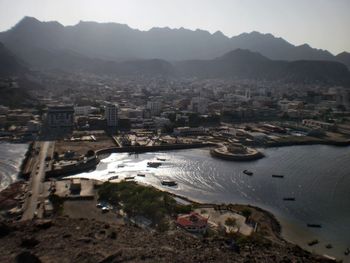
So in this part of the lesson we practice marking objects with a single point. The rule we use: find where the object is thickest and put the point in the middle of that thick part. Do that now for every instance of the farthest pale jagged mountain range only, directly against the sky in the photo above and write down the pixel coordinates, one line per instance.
(35, 41)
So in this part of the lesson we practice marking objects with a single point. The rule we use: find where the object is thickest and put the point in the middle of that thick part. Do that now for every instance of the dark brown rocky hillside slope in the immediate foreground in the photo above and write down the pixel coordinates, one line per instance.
(81, 240)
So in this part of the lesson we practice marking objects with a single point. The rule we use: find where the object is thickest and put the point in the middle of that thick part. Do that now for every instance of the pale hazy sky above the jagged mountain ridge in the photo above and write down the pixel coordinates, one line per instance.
(323, 24)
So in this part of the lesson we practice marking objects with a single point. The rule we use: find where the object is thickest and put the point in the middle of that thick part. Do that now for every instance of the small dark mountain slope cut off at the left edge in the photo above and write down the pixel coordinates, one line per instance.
(9, 64)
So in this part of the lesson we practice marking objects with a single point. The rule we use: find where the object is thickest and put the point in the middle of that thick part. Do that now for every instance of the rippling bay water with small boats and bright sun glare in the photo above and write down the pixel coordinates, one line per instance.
(209, 180)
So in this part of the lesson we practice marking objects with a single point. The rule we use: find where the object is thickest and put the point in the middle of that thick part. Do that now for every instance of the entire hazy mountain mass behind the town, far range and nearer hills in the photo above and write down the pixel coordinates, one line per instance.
(117, 49)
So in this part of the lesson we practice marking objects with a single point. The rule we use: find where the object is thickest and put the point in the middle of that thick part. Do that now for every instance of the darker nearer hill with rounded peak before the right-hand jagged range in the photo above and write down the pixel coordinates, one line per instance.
(246, 64)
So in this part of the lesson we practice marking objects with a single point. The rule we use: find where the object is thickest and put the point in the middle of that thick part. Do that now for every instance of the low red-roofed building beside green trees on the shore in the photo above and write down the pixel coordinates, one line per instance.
(193, 222)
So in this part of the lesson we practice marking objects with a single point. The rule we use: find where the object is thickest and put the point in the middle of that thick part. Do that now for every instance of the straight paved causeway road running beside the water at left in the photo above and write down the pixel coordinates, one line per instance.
(37, 178)
